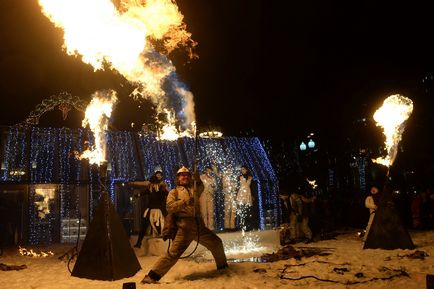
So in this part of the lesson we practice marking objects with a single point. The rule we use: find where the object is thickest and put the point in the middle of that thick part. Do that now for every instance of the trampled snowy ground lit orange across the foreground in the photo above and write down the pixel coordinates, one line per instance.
(347, 258)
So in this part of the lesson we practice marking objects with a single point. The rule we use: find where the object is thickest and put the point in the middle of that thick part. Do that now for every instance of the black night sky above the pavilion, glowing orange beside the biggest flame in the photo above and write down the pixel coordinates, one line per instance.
(280, 68)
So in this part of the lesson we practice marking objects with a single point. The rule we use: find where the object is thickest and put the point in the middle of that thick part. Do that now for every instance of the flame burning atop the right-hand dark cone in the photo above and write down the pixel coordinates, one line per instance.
(391, 116)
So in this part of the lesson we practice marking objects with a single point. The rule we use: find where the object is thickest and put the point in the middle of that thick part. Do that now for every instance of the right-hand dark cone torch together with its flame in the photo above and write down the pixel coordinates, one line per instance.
(387, 231)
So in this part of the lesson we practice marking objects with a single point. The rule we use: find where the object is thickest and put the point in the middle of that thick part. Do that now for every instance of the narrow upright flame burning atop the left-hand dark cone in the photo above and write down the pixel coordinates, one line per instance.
(97, 116)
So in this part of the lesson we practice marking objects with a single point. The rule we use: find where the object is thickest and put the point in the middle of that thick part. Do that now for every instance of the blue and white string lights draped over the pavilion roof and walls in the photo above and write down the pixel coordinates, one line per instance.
(47, 157)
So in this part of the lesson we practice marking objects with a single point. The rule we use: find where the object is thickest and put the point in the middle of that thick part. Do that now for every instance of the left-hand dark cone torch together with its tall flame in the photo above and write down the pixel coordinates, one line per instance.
(102, 256)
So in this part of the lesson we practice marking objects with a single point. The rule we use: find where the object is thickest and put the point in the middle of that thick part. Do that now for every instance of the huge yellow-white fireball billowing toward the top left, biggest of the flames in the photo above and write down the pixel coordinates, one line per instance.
(122, 37)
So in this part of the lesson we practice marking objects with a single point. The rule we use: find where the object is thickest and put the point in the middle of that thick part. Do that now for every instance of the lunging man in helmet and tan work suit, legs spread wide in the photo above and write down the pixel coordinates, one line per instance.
(180, 202)
